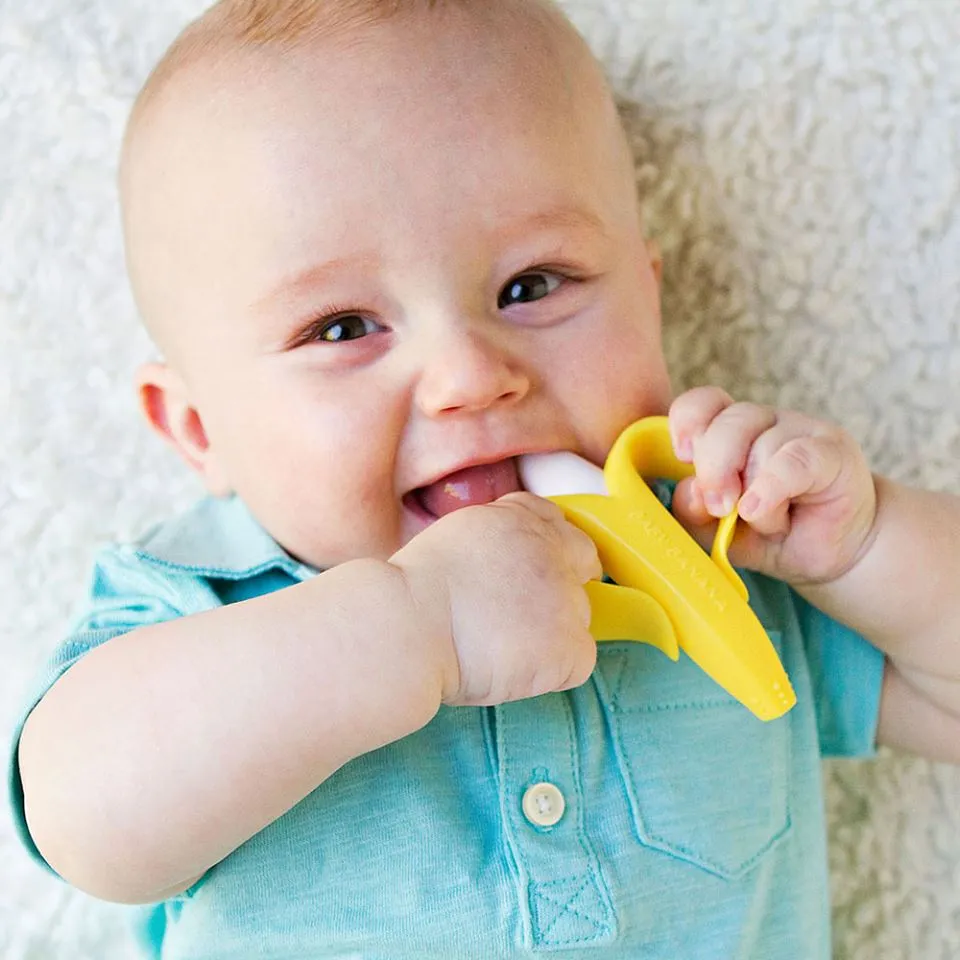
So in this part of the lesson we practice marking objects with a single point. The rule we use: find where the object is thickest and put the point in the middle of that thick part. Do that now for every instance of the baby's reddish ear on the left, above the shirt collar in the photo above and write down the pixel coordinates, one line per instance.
(165, 402)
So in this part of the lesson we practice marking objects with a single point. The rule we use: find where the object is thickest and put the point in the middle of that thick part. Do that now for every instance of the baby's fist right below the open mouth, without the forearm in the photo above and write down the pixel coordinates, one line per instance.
(500, 590)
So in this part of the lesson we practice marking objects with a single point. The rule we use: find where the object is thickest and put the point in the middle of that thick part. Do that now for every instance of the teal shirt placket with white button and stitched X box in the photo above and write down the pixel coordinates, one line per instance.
(564, 900)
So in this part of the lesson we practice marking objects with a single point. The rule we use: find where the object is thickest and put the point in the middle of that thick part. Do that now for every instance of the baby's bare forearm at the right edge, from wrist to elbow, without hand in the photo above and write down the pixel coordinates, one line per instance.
(903, 594)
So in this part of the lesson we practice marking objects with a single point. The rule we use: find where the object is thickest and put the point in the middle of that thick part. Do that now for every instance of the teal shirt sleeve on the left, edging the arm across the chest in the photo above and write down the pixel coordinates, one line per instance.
(124, 594)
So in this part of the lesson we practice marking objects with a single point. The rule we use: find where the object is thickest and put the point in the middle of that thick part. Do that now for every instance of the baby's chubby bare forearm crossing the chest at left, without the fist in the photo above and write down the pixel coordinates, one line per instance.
(163, 750)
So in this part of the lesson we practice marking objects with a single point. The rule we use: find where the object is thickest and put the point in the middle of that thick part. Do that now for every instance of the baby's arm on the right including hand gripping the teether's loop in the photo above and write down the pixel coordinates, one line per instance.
(877, 556)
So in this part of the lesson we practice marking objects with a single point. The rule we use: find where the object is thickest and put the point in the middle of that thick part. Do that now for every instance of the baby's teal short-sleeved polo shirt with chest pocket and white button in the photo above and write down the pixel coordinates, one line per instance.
(643, 815)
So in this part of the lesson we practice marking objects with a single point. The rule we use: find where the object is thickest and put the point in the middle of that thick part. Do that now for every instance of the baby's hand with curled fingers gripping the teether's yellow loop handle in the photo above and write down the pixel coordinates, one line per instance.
(804, 487)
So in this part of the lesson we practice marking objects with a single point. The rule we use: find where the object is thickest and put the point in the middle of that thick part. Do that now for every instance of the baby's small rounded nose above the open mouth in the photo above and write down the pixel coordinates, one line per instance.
(466, 371)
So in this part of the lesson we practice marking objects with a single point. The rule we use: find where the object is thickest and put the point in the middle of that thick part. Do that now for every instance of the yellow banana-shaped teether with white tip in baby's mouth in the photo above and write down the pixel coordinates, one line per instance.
(668, 592)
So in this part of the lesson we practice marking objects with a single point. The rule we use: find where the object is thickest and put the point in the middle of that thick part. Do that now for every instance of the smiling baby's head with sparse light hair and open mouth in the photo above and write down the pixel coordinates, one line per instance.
(378, 242)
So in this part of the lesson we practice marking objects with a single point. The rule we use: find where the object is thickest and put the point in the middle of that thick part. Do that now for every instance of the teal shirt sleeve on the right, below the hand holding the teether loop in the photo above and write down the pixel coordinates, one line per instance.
(846, 674)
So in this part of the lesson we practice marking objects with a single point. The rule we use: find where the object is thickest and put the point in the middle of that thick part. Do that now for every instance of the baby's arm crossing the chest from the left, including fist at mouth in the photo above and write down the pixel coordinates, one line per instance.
(163, 750)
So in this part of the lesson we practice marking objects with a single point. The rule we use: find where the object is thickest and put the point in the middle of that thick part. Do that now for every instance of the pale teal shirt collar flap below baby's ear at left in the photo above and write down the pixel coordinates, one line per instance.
(218, 538)
